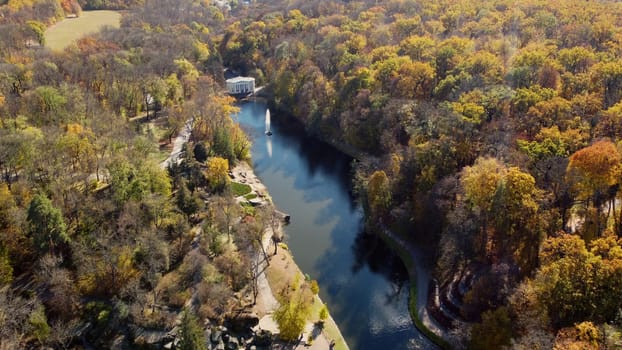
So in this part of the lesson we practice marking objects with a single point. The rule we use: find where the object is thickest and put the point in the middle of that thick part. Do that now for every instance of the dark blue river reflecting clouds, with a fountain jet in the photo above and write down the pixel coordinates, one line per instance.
(364, 284)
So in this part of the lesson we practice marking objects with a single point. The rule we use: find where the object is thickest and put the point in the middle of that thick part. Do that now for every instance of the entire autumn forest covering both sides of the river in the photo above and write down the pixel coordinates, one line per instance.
(488, 129)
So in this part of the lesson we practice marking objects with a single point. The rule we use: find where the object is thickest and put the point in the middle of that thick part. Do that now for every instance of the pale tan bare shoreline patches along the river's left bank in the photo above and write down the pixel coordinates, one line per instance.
(267, 303)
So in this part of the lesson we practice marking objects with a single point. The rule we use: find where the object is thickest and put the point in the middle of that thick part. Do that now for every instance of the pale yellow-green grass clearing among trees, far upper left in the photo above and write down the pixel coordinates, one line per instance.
(60, 35)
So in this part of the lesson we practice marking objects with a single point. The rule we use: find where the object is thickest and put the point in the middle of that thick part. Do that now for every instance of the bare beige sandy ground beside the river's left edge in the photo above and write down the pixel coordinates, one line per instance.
(282, 264)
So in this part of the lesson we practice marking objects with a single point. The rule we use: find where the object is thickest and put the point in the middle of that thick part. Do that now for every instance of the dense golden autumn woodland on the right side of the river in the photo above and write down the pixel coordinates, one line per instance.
(490, 128)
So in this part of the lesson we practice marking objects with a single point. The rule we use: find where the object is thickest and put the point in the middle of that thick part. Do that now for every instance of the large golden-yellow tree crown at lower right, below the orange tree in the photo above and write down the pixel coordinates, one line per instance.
(576, 284)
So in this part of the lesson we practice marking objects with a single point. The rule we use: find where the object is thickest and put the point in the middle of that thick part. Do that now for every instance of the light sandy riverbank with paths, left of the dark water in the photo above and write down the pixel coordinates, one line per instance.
(282, 269)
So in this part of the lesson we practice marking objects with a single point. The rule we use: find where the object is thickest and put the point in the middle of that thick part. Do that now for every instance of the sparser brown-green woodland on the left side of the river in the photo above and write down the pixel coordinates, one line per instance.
(99, 245)
